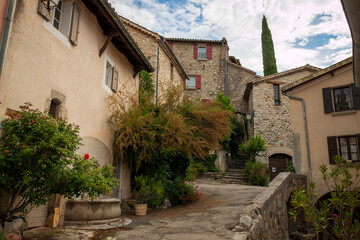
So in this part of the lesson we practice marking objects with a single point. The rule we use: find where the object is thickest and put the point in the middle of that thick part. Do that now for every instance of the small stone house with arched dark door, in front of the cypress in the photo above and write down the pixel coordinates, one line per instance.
(270, 117)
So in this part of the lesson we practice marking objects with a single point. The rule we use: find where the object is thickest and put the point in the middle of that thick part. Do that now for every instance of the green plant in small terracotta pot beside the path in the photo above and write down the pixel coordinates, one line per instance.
(142, 193)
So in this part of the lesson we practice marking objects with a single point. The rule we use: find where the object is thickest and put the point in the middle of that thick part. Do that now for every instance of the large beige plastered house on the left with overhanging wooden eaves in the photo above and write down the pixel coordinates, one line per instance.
(66, 60)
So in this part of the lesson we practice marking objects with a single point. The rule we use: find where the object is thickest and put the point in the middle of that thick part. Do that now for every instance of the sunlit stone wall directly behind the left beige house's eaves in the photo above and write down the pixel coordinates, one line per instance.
(149, 44)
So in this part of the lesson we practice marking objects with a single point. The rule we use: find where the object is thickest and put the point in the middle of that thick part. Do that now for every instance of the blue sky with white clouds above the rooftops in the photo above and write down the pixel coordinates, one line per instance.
(311, 32)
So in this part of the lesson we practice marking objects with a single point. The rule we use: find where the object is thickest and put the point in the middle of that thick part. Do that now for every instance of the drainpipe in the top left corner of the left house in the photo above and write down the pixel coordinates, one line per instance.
(6, 31)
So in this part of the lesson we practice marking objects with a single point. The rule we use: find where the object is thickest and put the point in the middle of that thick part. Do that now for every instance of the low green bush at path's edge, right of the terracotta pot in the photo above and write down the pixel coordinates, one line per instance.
(182, 191)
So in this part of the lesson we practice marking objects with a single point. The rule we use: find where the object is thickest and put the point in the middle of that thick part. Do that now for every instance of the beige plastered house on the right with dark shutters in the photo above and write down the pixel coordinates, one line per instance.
(332, 108)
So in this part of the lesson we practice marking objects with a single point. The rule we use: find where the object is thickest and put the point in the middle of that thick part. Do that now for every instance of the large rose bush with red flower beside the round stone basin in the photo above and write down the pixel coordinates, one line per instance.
(38, 160)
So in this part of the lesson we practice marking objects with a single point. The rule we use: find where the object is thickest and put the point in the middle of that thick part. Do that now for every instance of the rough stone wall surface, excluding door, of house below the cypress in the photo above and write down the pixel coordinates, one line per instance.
(272, 122)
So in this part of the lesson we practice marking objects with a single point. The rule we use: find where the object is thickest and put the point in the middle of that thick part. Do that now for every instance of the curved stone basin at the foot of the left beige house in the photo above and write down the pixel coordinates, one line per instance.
(100, 211)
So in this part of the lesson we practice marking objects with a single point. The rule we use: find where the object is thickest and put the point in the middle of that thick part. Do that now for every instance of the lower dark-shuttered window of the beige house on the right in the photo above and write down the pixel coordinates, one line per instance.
(345, 146)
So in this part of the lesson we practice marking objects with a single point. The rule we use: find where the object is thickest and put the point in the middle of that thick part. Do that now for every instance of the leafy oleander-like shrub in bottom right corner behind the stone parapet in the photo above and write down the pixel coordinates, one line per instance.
(334, 217)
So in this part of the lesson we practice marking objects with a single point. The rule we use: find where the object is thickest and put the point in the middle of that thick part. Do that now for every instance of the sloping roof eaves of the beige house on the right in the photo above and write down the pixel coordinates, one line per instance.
(317, 74)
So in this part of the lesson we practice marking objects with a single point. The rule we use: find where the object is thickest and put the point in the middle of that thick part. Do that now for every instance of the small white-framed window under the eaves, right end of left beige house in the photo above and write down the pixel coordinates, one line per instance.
(111, 76)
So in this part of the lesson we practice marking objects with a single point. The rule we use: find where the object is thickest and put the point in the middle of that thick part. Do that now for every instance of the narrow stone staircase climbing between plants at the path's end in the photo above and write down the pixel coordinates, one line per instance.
(236, 171)
